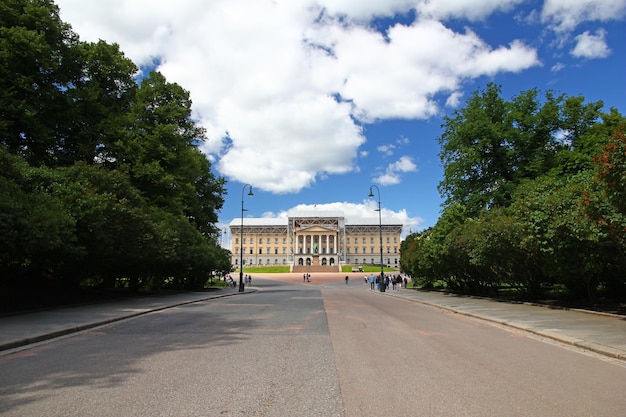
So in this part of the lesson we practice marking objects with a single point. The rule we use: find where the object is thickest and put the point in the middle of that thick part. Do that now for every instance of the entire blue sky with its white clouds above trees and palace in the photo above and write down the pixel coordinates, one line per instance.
(311, 102)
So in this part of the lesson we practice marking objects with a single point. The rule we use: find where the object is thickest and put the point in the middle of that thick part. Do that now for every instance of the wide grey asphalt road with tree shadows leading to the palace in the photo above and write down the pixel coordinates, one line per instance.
(299, 350)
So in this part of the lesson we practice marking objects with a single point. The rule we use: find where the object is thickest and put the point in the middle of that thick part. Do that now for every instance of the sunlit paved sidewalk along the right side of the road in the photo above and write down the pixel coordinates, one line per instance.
(598, 332)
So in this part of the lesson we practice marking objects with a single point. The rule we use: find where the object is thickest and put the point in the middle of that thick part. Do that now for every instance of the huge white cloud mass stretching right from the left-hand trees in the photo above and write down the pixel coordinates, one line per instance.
(283, 92)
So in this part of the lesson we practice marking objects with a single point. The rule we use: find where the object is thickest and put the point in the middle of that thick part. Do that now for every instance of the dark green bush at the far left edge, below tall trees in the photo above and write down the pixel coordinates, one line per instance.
(37, 234)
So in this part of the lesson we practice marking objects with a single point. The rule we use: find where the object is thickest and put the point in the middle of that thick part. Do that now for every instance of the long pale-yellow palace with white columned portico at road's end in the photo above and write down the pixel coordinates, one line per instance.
(314, 239)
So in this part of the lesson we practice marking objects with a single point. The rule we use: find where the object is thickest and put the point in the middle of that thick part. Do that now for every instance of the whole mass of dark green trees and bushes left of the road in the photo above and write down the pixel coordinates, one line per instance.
(102, 180)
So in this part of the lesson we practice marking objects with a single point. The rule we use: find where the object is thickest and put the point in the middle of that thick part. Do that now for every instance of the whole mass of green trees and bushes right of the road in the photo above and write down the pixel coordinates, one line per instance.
(535, 197)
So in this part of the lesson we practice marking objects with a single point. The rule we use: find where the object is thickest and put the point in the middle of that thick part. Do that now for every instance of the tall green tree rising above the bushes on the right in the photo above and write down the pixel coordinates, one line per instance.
(490, 146)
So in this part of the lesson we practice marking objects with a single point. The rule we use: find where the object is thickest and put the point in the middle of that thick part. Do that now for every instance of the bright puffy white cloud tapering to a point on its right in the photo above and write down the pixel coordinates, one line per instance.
(397, 77)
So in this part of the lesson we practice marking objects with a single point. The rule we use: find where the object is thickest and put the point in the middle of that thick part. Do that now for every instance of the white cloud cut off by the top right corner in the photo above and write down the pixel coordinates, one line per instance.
(566, 15)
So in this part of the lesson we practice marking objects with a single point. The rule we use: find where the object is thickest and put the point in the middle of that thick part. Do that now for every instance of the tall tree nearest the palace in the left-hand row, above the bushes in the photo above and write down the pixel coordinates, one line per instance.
(160, 152)
